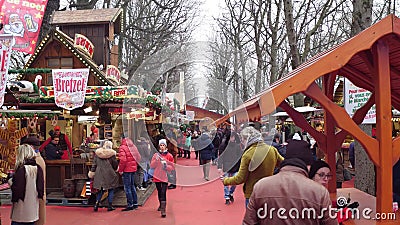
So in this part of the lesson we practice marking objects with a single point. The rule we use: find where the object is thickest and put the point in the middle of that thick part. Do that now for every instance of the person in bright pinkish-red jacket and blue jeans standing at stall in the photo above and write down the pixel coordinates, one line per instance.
(128, 162)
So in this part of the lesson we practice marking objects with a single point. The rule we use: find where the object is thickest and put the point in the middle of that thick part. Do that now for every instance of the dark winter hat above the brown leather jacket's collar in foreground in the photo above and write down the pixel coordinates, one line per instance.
(299, 149)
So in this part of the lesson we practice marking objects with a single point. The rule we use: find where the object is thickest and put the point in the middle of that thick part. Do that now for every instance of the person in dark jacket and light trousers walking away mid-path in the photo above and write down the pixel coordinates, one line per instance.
(205, 148)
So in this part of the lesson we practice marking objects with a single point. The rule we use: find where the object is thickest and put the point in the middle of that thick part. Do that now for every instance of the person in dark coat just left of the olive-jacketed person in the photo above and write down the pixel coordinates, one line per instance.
(229, 162)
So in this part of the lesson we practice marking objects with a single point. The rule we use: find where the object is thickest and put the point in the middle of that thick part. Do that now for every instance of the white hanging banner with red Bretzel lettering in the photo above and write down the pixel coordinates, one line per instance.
(70, 87)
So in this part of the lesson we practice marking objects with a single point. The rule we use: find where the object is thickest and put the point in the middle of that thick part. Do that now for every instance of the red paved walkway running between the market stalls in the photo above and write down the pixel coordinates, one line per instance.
(193, 203)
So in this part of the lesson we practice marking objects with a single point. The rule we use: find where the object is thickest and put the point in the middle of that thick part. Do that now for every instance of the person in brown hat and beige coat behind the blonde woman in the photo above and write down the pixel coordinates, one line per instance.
(32, 140)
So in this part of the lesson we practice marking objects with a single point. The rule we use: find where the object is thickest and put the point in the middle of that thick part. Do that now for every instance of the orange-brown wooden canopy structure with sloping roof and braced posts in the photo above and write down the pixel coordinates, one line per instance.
(370, 60)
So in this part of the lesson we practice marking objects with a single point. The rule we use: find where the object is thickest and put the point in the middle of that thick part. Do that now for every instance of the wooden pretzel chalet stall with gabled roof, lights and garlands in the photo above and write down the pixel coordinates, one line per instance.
(79, 39)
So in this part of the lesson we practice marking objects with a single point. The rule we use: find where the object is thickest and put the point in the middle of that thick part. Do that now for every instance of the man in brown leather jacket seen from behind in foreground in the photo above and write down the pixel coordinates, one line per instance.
(290, 197)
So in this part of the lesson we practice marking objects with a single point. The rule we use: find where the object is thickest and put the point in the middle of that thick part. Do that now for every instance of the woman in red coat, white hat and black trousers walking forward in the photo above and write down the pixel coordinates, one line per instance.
(162, 163)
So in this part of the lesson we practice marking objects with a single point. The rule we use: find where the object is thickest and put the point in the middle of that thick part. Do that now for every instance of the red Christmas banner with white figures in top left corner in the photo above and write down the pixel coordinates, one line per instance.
(23, 19)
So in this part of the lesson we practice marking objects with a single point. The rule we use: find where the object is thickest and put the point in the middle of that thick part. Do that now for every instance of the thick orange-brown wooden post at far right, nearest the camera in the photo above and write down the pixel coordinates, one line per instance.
(381, 76)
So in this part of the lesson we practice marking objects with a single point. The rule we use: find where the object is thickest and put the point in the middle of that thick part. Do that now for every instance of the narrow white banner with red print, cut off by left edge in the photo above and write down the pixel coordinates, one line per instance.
(6, 43)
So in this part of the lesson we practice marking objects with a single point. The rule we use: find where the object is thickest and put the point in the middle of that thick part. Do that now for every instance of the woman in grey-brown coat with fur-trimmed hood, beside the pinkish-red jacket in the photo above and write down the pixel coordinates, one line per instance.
(103, 171)
